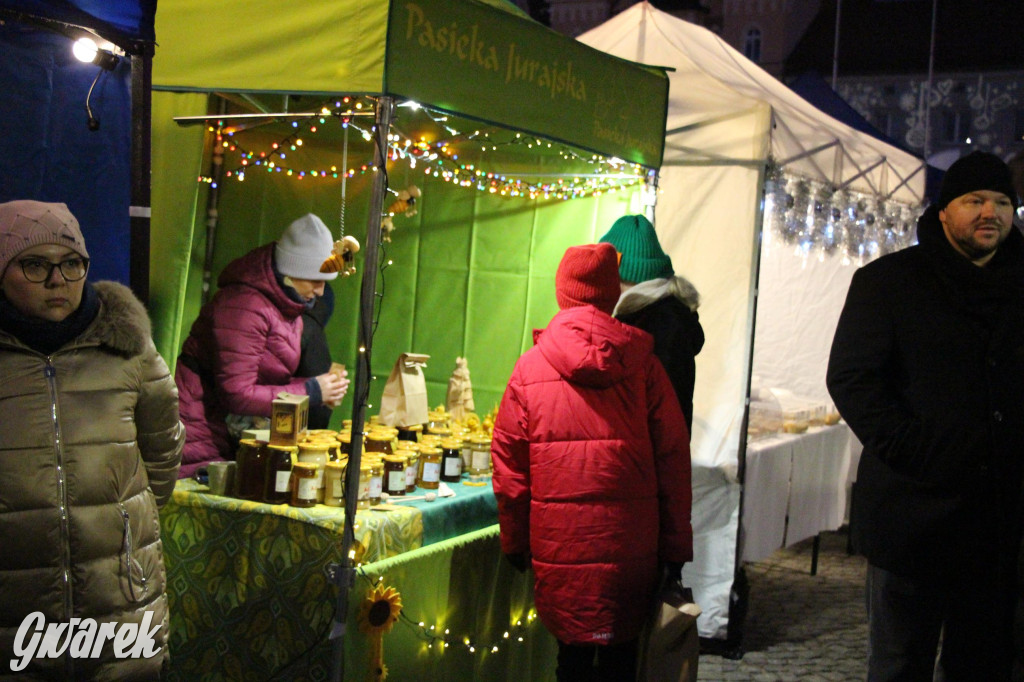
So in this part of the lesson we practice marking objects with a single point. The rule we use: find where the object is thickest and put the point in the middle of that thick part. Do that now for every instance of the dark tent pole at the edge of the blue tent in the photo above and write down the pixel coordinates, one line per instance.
(141, 210)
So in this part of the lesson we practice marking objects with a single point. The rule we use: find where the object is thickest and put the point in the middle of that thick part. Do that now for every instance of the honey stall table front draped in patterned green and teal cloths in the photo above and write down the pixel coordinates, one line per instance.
(250, 599)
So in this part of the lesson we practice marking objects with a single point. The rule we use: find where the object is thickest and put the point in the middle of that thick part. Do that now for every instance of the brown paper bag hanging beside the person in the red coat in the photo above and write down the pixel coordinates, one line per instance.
(670, 646)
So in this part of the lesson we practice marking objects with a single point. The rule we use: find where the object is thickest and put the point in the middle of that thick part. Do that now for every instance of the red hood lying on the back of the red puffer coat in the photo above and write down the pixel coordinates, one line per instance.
(589, 348)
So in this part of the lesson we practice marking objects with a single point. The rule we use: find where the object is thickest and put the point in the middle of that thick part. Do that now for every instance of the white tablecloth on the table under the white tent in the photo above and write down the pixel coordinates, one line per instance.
(795, 487)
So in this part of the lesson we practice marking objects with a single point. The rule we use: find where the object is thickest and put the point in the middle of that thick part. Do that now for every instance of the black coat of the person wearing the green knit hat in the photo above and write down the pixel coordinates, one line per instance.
(678, 338)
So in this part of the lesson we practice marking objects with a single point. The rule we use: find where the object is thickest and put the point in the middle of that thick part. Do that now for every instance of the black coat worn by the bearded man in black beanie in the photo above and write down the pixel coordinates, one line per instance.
(927, 367)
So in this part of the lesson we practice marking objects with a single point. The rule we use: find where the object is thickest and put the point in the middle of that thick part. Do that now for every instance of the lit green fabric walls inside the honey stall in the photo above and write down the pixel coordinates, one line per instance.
(472, 275)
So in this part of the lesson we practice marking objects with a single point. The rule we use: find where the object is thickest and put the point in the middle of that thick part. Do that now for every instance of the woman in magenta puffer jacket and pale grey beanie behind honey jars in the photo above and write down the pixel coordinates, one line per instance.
(244, 349)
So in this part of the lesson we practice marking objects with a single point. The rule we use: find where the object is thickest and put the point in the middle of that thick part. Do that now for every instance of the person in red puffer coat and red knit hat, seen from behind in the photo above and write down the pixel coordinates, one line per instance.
(592, 473)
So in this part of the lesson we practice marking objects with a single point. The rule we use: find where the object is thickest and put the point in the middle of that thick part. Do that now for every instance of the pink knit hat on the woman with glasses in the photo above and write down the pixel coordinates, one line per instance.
(26, 224)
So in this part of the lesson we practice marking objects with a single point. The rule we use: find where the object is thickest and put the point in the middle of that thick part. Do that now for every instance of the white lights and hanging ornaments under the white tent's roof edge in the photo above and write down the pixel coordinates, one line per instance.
(819, 220)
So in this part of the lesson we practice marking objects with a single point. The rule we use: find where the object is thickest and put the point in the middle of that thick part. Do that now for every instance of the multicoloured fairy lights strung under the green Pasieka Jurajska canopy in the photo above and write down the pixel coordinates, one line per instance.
(438, 158)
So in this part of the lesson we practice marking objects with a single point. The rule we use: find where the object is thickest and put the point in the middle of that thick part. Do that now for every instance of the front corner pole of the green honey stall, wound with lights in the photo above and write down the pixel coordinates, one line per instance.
(344, 575)
